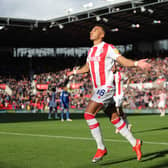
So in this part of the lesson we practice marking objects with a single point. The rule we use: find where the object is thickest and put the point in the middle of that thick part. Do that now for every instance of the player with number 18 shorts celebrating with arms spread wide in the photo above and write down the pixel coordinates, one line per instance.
(100, 60)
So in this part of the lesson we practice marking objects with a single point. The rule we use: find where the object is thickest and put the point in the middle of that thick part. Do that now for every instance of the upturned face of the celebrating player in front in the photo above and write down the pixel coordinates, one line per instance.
(96, 33)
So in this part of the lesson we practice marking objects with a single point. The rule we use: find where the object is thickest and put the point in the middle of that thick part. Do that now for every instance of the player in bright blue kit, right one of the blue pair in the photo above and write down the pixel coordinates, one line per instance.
(64, 100)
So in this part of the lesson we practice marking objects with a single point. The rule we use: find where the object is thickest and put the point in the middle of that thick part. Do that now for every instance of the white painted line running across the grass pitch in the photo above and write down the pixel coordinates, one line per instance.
(76, 138)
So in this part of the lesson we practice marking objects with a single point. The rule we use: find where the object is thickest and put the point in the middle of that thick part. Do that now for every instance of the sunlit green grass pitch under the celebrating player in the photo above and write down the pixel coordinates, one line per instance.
(56, 144)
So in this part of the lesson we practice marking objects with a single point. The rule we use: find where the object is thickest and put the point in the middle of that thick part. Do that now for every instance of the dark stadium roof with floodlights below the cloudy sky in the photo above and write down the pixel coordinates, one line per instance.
(128, 22)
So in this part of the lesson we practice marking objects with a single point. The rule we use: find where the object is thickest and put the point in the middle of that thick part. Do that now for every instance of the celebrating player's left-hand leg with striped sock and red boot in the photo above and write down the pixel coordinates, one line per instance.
(93, 124)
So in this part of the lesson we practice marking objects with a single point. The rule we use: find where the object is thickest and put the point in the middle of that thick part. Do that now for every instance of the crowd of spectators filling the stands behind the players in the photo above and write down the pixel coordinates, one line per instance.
(26, 96)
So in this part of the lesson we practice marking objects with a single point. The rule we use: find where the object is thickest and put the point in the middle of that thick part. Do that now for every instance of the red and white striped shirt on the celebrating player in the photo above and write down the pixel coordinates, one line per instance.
(101, 59)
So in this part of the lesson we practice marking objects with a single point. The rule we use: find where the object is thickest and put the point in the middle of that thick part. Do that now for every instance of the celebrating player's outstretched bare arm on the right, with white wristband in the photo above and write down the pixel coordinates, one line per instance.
(130, 63)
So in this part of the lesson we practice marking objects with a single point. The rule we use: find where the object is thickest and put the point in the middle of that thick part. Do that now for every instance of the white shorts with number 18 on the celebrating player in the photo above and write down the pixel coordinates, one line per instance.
(104, 95)
